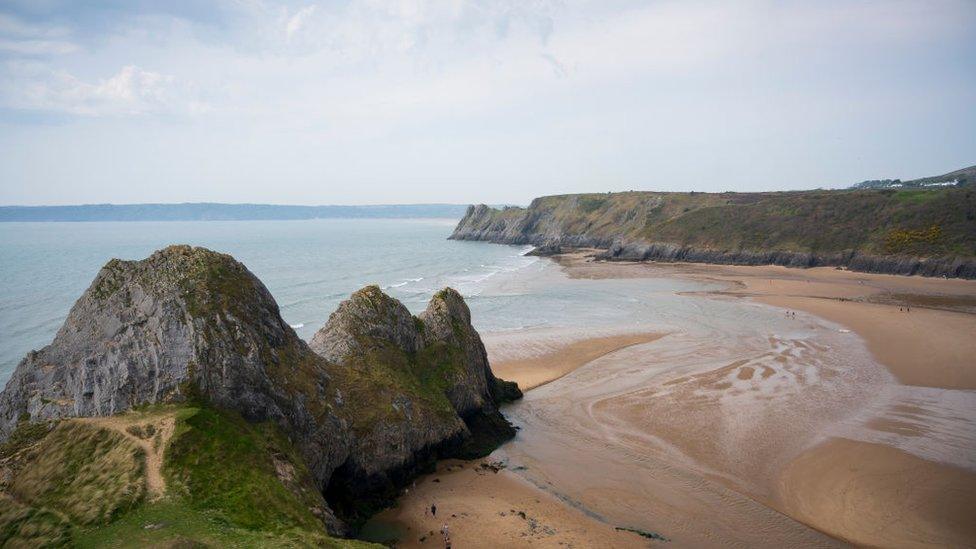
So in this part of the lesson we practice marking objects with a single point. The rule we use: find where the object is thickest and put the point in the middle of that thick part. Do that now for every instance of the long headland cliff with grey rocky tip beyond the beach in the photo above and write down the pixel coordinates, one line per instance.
(929, 232)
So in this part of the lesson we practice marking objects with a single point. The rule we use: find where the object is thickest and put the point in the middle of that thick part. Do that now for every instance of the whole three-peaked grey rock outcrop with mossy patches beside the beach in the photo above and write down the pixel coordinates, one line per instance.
(378, 396)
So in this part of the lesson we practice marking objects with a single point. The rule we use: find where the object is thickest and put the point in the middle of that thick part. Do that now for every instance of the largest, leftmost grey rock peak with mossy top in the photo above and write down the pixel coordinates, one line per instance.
(184, 320)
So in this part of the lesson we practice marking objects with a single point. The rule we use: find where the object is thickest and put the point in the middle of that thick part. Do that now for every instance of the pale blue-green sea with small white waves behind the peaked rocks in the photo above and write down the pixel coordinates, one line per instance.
(309, 266)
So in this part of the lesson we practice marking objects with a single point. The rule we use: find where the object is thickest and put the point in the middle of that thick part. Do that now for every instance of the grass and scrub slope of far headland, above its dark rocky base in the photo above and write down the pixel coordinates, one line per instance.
(922, 222)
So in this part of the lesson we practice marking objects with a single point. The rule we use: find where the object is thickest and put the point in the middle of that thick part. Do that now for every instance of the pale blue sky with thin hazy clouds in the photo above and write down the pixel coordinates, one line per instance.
(468, 101)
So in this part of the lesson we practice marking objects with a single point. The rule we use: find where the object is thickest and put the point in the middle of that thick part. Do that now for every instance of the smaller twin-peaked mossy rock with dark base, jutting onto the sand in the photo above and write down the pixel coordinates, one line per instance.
(423, 382)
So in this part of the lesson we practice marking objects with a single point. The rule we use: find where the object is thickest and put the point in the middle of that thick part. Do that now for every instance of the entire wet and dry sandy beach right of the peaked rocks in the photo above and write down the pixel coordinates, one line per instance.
(847, 415)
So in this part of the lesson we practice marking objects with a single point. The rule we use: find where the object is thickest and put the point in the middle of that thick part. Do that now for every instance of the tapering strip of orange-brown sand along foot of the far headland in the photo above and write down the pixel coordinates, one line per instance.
(928, 346)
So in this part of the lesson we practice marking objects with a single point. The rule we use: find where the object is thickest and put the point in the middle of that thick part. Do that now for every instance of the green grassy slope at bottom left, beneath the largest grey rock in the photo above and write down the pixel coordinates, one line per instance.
(230, 484)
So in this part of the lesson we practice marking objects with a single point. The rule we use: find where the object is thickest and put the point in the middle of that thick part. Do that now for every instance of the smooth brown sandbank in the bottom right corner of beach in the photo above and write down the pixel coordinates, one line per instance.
(876, 495)
